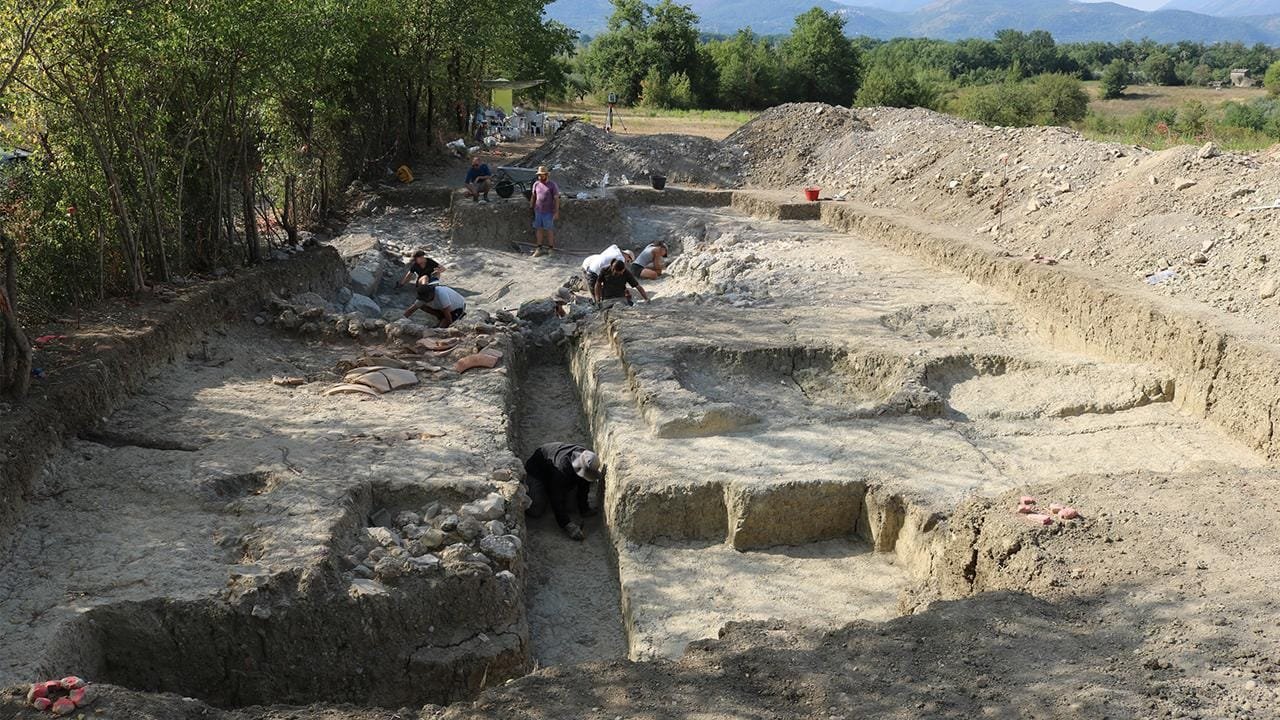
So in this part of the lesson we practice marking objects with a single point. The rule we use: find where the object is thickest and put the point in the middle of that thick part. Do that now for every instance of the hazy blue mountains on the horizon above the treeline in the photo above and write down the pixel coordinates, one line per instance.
(1068, 21)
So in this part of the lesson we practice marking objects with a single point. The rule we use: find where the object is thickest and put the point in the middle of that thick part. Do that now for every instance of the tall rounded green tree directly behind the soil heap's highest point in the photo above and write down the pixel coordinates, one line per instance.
(820, 63)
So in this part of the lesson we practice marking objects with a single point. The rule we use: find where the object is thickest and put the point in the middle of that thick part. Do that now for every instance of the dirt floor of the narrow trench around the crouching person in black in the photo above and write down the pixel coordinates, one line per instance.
(574, 603)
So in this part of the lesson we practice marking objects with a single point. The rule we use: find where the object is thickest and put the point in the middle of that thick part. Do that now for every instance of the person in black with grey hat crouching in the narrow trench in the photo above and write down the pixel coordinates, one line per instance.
(557, 471)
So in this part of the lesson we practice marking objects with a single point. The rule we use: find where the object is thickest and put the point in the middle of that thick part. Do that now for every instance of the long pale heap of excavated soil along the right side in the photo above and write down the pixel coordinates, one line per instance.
(1180, 221)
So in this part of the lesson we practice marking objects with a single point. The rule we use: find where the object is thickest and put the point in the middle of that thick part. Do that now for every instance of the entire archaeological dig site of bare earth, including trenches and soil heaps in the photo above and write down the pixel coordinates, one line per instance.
(989, 430)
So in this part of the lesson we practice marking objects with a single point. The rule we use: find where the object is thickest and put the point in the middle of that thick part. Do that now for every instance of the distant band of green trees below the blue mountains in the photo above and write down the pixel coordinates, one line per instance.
(655, 56)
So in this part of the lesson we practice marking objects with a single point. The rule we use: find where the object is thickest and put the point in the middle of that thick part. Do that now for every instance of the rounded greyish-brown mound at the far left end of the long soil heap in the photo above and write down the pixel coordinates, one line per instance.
(780, 145)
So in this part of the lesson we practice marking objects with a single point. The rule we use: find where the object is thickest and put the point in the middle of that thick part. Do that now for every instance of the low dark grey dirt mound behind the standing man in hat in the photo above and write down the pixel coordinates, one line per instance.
(582, 156)
